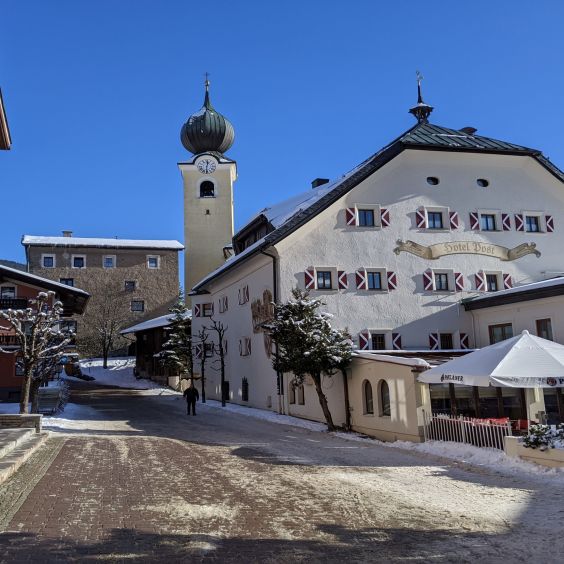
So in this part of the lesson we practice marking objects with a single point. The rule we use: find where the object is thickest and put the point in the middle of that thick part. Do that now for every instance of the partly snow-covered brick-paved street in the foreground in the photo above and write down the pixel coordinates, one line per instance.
(147, 484)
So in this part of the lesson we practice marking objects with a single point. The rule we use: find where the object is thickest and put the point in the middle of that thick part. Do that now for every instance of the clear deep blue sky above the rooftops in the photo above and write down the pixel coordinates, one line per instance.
(96, 93)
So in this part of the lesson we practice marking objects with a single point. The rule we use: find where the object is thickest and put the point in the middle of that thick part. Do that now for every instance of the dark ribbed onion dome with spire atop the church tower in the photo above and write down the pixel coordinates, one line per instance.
(207, 130)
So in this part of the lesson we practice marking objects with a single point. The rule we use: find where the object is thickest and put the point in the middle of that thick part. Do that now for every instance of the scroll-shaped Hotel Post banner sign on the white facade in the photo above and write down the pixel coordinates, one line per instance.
(433, 252)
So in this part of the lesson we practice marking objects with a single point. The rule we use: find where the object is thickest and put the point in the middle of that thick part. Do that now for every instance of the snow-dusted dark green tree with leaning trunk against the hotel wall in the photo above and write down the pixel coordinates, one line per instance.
(307, 344)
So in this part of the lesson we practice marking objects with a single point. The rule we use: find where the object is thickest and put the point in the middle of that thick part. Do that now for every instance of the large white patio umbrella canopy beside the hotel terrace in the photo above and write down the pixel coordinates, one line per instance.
(524, 361)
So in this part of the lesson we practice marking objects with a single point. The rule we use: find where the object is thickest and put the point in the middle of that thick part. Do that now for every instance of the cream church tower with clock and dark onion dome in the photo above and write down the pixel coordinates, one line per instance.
(208, 178)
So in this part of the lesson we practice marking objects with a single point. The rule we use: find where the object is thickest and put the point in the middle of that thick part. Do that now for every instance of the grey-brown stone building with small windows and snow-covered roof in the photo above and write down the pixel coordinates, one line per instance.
(130, 280)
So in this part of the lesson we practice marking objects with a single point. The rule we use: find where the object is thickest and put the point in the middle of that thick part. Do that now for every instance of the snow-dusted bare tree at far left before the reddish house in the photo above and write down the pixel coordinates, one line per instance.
(40, 341)
